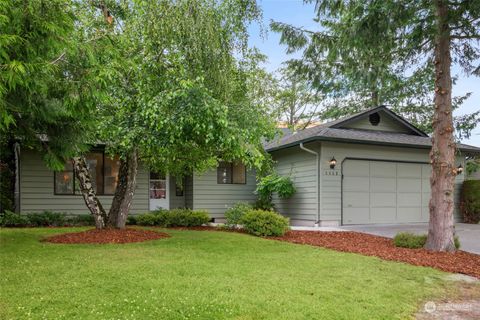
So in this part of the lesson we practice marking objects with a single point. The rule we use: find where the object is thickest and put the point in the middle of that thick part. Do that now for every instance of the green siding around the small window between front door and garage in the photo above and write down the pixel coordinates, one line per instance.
(217, 198)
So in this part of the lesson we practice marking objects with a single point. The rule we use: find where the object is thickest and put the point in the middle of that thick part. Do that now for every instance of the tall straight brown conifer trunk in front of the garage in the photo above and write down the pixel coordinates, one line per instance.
(442, 156)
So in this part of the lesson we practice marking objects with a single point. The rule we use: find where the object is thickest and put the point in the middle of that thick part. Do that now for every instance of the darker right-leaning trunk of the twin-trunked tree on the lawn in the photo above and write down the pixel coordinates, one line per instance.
(122, 200)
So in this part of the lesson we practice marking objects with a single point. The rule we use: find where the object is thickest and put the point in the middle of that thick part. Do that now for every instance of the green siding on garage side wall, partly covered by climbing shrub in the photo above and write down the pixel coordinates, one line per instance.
(301, 167)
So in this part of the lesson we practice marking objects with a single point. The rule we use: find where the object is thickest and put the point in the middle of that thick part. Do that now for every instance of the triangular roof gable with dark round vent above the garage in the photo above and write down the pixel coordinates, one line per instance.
(379, 119)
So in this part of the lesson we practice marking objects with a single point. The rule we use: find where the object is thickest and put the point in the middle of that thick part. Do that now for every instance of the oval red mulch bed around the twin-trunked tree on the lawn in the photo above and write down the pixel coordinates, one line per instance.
(127, 235)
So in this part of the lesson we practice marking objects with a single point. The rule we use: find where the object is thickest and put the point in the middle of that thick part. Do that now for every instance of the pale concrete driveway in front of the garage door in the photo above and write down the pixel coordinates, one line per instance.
(469, 234)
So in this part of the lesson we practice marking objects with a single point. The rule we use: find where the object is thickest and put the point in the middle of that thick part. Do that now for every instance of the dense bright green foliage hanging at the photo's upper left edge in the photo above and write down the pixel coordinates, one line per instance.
(48, 81)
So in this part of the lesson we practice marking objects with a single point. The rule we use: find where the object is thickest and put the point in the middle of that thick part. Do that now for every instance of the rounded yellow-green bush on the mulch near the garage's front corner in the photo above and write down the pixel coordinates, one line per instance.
(265, 223)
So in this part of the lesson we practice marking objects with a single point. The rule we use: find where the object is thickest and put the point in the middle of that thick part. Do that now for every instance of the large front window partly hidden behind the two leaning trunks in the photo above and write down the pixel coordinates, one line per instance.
(103, 173)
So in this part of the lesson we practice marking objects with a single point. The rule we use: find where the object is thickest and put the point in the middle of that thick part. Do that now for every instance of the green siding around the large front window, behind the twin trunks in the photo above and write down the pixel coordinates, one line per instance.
(37, 190)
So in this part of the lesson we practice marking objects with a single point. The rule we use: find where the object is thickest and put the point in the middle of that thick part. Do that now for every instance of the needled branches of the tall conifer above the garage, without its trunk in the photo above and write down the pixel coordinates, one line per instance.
(369, 53)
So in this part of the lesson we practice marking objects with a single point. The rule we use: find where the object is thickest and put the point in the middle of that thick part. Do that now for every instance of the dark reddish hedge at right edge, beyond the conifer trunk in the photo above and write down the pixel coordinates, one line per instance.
(470, 201)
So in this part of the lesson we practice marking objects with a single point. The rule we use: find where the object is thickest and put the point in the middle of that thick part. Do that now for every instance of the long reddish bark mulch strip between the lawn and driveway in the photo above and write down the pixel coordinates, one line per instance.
(370, 245)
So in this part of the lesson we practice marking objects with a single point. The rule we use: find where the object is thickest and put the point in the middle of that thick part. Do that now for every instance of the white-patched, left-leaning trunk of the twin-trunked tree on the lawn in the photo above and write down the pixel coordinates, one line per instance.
(88, 193)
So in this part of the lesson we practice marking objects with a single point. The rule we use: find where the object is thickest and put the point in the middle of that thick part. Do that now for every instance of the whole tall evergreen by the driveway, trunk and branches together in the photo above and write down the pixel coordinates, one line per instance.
(373, 48)
